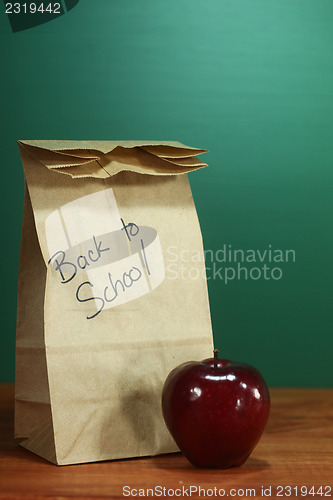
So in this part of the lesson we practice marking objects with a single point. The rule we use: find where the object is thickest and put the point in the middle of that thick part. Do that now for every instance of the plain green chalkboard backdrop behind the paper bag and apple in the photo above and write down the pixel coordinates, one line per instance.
(250, 80)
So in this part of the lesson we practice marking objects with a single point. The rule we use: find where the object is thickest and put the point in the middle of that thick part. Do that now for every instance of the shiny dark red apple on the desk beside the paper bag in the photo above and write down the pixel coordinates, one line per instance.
(216, 410)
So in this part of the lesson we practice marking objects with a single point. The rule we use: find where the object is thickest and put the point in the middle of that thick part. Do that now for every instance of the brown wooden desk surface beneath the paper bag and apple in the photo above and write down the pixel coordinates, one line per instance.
(296, 450)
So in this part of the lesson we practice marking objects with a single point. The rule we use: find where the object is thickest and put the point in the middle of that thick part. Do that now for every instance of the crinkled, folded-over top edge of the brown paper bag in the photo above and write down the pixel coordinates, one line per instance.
(102, 159)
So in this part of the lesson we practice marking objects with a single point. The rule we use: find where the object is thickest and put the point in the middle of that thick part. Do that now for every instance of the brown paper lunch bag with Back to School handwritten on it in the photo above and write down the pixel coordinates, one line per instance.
(104, 313)
